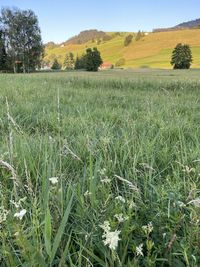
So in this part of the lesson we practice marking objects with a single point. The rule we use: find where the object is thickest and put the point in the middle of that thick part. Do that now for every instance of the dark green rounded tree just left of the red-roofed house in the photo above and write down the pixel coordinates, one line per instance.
(92, 59)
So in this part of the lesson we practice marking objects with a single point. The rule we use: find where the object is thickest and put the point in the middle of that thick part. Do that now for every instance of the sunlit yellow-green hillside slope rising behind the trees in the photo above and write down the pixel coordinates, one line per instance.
(153, 50)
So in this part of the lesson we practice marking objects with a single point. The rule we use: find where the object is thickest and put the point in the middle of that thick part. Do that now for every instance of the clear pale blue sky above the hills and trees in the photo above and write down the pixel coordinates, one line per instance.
(62, 19)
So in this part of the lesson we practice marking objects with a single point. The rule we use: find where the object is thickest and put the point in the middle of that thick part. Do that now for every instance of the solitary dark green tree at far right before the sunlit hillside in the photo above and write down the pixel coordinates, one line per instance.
(181, 57)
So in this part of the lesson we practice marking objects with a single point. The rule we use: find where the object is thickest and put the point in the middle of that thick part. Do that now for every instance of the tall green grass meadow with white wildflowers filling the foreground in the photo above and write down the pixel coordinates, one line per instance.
(100, 169)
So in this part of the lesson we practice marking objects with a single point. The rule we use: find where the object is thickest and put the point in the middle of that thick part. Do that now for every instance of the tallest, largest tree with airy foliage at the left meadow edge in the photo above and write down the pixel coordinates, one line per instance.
(23, 38)
